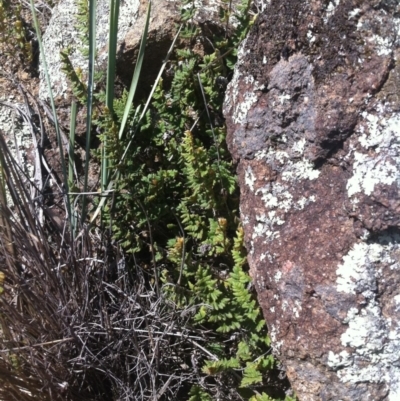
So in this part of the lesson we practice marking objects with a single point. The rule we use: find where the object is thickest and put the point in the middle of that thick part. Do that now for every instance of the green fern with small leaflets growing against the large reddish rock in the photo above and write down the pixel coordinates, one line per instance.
(177, 206)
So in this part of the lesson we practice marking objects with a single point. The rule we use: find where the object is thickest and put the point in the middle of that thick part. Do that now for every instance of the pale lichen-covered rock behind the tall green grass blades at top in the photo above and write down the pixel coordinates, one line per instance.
(62, 32)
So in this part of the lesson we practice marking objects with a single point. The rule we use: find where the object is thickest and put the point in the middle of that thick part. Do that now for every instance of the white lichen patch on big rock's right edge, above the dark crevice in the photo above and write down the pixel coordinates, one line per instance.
(381, 166)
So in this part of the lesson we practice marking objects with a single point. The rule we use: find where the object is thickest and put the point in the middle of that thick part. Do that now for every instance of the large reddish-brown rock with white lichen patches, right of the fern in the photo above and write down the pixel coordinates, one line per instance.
(313, 114)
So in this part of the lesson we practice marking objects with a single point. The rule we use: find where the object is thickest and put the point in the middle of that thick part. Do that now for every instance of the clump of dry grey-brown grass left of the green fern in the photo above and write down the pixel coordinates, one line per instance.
(76, 324)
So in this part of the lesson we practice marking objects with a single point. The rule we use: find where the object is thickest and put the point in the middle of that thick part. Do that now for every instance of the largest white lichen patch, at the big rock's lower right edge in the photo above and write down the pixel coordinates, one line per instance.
(373, 338)
